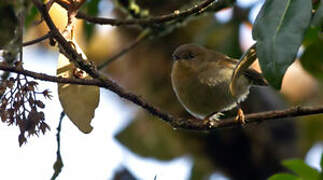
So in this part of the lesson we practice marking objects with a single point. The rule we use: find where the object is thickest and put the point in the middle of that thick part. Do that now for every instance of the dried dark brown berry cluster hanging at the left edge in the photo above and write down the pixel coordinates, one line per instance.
(20, 106)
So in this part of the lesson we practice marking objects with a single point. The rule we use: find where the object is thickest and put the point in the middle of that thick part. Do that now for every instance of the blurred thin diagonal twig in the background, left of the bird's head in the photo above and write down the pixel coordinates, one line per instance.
(142, 36)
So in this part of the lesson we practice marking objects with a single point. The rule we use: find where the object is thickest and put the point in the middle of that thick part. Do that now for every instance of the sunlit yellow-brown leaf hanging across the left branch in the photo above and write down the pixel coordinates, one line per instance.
(79, 102)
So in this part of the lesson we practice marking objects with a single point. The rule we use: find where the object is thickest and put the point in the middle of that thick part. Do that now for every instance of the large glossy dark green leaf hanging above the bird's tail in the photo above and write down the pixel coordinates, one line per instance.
(279, 31)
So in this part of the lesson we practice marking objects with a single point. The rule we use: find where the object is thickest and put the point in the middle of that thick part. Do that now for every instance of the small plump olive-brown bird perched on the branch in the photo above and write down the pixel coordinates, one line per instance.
(202, 81)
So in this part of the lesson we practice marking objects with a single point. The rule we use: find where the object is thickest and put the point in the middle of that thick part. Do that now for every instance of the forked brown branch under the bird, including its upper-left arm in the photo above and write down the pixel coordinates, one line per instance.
(102, 81)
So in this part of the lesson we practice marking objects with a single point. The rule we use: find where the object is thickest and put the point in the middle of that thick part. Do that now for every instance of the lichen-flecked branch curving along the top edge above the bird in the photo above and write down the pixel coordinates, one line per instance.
(154, 20)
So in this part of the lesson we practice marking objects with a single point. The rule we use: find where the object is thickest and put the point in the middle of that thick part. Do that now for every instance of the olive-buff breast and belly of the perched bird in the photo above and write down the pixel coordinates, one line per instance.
(202, 95)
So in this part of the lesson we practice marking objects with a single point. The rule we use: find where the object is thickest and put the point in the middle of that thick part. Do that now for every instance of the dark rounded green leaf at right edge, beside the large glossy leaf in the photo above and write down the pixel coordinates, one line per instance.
(312, 59)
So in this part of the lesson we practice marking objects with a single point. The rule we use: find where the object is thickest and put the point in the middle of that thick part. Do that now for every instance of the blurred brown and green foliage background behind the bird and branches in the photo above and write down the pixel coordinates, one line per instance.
(251, 152)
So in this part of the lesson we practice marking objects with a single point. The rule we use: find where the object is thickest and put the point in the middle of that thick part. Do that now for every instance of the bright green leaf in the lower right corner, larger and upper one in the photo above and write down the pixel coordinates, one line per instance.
(301, 169)
